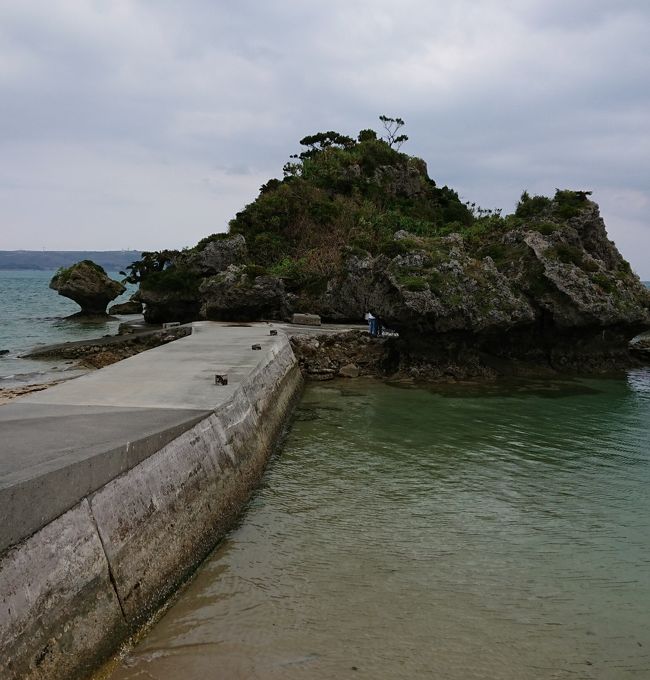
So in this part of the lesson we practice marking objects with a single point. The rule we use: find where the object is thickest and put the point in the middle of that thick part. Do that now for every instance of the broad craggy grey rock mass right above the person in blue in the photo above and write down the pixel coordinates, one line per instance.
(428, 292)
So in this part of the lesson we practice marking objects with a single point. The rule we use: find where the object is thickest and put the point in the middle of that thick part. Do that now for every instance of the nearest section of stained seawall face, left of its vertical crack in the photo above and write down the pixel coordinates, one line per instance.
(59, 613)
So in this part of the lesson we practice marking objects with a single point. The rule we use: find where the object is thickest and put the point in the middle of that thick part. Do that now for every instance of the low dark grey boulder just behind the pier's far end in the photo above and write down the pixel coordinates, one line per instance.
(235, 295)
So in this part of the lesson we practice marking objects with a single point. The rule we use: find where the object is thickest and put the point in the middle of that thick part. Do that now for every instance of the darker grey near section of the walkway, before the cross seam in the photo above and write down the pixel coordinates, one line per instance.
(55, 455)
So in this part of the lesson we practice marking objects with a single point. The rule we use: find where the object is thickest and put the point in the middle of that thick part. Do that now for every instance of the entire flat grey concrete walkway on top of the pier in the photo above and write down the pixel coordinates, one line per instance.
(59, 445)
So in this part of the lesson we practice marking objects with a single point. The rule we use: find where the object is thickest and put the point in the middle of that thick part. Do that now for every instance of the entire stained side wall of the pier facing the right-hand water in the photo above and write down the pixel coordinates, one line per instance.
(75, 588)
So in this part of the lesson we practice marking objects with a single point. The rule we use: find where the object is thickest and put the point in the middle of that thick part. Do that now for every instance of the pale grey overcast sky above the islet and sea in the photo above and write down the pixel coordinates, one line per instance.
(148, 124)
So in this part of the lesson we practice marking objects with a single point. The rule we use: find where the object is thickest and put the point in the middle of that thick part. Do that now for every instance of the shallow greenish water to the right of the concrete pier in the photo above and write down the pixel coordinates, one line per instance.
(492, 532)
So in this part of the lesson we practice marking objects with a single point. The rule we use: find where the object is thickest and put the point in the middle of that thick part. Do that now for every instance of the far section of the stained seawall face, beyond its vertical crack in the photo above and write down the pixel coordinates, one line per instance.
(173, 506)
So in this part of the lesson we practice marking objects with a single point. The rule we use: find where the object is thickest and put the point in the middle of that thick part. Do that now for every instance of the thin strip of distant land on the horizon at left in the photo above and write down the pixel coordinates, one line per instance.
(110, 260)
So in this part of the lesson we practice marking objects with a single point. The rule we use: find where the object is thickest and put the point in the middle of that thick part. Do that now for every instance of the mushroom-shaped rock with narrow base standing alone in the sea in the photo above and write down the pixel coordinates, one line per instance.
(88, 285)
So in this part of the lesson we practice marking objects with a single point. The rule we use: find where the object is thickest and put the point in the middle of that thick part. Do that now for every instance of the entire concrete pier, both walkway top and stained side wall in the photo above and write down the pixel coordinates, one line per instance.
(114, 486)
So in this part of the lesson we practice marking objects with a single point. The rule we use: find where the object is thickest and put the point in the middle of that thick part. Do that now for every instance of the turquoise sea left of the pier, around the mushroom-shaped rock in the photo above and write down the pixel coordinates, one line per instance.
(31, 314)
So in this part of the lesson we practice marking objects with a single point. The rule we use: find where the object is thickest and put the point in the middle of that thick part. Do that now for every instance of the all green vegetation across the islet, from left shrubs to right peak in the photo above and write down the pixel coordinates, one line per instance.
(344, 196)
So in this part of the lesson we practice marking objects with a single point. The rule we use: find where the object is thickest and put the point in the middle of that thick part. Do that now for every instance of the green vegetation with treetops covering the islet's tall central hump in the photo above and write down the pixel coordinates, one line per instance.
(342, 196)
